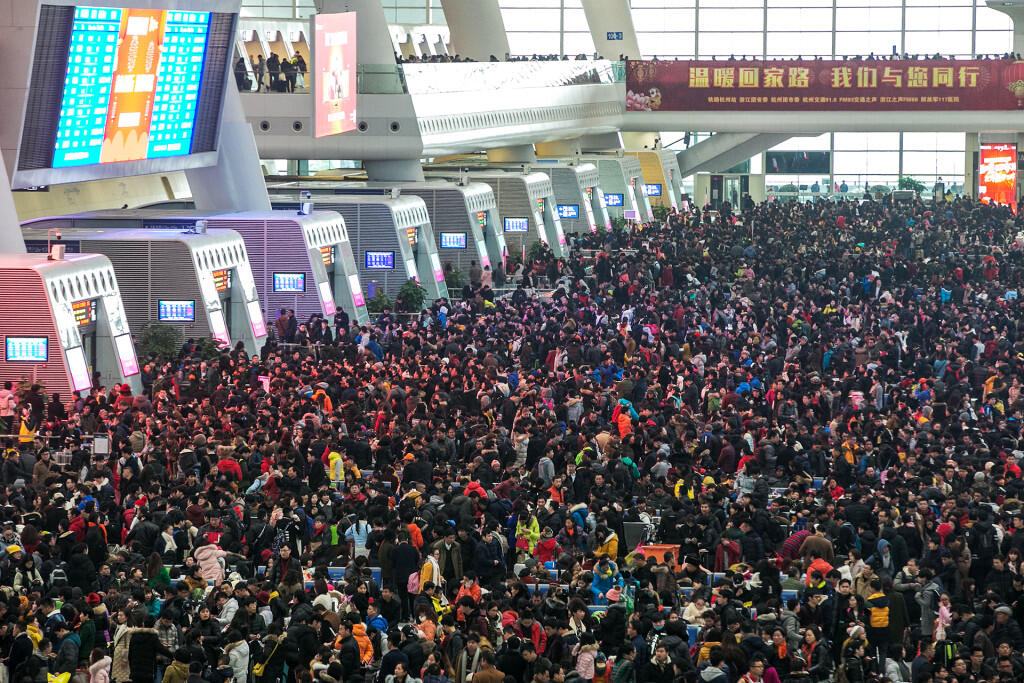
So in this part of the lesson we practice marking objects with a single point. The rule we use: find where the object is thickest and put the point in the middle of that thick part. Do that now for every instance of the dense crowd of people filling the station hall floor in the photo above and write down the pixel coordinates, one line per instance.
(814, 410)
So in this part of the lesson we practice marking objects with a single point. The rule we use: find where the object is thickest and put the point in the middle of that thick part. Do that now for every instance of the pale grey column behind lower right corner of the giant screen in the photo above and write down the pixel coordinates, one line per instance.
(236, 184)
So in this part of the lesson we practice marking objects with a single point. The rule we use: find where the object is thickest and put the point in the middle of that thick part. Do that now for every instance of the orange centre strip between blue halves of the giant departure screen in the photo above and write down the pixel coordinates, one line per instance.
(135, 86)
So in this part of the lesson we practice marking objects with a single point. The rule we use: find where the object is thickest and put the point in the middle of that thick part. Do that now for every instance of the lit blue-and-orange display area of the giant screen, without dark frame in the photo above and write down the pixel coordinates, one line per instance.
(133, 86)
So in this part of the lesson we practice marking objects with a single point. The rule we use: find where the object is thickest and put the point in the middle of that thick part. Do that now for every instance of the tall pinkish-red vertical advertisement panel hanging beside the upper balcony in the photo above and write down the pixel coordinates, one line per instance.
(334, 80)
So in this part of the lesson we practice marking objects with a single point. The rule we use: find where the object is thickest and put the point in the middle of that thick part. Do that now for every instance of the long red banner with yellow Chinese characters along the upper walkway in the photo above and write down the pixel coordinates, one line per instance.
(826, 86)
